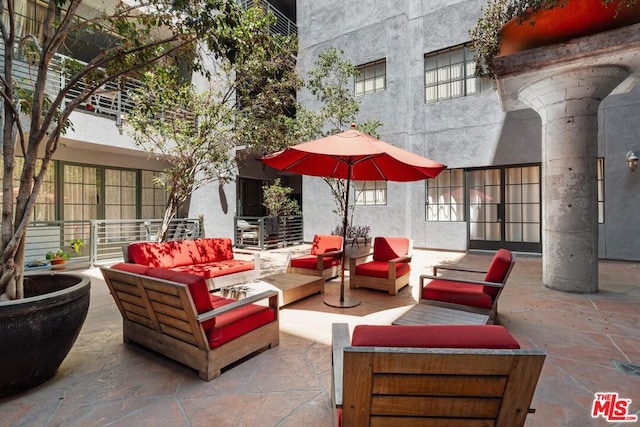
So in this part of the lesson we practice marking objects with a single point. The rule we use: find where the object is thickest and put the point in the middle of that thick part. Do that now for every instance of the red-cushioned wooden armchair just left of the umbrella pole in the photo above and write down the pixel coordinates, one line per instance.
(324, 259)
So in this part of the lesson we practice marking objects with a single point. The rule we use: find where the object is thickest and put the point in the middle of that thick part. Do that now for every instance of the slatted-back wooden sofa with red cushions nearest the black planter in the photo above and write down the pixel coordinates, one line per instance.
(174, 314)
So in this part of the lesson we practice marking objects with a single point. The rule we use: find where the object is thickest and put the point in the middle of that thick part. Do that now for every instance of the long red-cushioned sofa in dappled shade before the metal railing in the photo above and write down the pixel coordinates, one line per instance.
(212, 258)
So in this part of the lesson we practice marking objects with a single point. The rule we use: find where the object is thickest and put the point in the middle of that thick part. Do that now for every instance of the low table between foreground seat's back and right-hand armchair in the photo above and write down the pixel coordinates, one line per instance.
(424, 314)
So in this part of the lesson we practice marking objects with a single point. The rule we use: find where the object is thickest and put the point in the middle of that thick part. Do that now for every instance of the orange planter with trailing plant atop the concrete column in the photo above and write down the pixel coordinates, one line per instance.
(509, 26)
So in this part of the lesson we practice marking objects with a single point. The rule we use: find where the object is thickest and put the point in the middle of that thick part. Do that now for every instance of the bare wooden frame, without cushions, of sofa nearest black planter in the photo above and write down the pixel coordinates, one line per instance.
(161, 315)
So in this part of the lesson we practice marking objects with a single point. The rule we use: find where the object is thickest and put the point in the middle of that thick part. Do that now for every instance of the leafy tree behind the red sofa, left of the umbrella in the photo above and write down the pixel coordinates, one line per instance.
(197, 132)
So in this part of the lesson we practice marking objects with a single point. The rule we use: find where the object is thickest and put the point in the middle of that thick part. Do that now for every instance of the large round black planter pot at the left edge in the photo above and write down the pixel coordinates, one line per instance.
(37, 332)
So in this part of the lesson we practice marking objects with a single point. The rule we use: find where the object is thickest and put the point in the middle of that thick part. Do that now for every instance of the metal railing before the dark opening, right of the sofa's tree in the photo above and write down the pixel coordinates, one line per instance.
(268, 232)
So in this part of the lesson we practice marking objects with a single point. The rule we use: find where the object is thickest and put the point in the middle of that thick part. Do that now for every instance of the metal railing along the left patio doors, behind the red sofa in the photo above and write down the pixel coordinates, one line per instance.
(103, 239)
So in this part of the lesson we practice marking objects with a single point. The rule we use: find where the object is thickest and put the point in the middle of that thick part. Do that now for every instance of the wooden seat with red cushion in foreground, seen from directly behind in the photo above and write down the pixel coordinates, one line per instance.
(451, 375)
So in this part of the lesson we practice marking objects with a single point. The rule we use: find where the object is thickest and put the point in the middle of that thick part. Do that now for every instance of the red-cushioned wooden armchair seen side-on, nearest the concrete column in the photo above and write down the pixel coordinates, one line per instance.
(478, 296)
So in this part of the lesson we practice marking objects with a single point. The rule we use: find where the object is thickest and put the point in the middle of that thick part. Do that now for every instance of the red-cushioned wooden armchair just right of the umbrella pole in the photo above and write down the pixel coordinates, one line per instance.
(388, 271)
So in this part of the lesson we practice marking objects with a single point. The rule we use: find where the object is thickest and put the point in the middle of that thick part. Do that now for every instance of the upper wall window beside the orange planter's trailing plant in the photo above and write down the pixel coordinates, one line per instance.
(450, 73)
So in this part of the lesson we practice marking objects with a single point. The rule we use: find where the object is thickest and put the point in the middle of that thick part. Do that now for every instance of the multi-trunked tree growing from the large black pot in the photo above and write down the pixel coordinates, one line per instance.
(142, 34)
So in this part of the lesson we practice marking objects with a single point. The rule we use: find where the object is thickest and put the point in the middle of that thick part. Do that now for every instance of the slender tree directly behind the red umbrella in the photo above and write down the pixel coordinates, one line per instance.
(330, 82)
